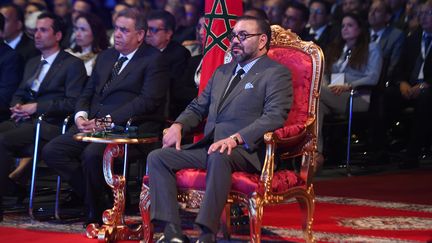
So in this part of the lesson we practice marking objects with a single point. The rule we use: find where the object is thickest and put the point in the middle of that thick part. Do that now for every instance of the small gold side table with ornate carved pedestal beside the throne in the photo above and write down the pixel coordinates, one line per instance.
(114, 227)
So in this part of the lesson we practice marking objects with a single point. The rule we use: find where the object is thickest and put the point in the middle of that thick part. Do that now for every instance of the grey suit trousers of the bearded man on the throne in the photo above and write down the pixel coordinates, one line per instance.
(162, 165)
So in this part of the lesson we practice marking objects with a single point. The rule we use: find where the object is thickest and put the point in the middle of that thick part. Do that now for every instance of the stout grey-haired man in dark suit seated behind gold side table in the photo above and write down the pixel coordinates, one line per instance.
(127, 80)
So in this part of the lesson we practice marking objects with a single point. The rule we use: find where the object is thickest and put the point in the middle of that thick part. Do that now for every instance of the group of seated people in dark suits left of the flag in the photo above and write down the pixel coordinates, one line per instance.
(133, 78)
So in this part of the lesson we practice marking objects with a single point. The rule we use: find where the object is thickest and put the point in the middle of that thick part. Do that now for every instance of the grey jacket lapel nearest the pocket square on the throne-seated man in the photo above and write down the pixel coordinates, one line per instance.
(250, 77)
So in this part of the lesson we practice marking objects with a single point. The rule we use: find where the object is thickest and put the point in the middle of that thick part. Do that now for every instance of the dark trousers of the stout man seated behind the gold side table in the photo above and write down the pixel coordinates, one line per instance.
(80, 164)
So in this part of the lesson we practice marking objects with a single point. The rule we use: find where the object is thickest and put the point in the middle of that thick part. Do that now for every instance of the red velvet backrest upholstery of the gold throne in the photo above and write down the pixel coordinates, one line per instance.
(300, 65)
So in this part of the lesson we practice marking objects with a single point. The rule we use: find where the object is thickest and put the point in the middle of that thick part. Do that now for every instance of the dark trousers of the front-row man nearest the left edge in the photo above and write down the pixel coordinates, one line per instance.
(15, 140)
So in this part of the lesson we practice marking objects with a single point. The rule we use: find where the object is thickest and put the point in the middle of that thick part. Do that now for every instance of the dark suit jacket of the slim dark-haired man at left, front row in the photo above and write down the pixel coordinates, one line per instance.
(58, 91)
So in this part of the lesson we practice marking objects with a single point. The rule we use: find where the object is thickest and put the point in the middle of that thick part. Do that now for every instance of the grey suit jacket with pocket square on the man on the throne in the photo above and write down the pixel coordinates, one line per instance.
(258, 104)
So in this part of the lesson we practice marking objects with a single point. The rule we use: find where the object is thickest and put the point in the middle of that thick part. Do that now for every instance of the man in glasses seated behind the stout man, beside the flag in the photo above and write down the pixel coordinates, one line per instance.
(159, 34)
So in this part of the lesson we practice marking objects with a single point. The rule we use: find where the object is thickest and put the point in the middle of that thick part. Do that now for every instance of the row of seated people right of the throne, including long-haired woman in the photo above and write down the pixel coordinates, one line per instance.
(395, 65)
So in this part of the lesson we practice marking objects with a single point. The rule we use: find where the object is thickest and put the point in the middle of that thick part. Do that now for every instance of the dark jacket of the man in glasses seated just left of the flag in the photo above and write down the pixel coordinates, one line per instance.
(176, 57)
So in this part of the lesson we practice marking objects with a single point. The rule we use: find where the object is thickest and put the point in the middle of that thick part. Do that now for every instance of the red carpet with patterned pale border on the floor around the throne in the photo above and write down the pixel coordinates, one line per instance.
(381, 208)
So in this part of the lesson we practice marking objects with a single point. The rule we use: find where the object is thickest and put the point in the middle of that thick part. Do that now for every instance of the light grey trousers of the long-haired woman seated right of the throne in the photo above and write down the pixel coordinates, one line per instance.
(335, 104)
